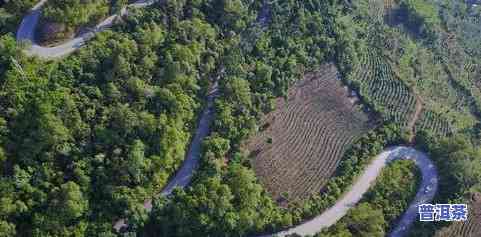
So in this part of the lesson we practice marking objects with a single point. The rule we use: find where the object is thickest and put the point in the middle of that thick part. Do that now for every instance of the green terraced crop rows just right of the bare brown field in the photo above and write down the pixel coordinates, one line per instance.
(380, 87)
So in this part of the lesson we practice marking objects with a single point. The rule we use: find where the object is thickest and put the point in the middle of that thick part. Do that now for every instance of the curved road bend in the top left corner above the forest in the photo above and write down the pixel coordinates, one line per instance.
(26, 32)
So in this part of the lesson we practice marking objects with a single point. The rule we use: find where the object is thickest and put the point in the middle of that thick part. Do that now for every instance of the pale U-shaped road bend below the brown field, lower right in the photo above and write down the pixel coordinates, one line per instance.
(425, 194)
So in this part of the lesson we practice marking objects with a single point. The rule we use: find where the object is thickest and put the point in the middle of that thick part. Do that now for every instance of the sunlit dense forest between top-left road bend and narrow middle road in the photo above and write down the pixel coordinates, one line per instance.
(85, 140)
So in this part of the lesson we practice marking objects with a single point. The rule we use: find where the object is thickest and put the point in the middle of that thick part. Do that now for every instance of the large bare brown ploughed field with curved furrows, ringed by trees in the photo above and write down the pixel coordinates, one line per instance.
(302, 141)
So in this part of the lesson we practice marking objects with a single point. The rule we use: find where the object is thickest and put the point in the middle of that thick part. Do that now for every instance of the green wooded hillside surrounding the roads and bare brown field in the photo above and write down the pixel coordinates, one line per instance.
(86, 139)
